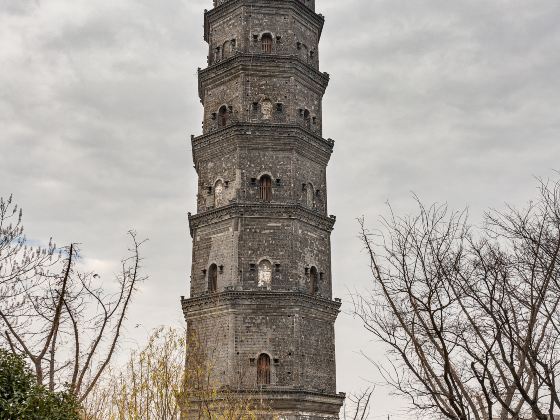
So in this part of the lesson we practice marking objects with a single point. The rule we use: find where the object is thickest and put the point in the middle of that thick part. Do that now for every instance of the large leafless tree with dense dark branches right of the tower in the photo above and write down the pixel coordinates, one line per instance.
(471, 316)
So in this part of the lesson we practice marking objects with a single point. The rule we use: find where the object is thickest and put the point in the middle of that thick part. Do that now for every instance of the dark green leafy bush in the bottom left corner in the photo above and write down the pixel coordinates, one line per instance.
(22, 399)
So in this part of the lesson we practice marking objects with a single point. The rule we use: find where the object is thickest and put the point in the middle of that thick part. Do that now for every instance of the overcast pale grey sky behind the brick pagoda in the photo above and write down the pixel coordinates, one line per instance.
(455, 100)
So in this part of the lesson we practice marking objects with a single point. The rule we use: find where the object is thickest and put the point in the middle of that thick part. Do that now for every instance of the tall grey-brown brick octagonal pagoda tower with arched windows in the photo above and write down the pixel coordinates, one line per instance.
(261, 285)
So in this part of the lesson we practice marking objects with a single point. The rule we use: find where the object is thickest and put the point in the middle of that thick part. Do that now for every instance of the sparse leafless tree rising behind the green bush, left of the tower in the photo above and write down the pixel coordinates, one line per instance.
(64, 321)
